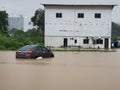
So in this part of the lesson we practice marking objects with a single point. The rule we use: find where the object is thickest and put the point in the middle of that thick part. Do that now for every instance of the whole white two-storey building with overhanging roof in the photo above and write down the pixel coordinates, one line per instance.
(87, 26)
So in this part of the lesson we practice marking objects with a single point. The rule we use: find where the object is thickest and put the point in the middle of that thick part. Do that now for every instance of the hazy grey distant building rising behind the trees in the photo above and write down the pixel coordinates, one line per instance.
(16, 22)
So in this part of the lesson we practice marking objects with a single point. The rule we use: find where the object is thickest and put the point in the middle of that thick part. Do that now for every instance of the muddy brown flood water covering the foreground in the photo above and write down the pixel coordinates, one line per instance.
(66, 71)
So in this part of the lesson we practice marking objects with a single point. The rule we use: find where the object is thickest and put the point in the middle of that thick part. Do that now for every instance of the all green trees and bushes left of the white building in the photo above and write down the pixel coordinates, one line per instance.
(14, 39)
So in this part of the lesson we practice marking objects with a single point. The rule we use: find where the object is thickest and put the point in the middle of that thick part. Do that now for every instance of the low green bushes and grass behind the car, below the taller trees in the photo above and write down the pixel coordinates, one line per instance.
(19, 38)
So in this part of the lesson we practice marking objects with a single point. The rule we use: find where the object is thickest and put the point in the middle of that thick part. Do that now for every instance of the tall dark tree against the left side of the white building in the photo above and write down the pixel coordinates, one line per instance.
(38, 19)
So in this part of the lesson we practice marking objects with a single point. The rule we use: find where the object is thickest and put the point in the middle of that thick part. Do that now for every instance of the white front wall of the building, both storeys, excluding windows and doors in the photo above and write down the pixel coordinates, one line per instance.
(56, 29)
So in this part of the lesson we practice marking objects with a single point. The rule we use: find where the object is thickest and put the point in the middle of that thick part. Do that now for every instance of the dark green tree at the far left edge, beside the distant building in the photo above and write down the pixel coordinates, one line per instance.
(3, 22)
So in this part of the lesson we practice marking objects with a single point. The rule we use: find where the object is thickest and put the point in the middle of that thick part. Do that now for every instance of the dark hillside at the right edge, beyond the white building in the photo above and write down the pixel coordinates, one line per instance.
(115, 31)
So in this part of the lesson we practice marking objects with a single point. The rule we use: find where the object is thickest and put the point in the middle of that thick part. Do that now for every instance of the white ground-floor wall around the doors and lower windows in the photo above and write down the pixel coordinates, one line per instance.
(59, 42)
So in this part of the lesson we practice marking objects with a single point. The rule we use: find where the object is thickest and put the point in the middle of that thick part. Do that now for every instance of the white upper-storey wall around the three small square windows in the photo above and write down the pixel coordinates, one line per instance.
(73, 26)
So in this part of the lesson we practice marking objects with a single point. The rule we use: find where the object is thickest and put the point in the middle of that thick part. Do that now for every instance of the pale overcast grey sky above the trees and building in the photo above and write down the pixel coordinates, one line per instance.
(27, 8)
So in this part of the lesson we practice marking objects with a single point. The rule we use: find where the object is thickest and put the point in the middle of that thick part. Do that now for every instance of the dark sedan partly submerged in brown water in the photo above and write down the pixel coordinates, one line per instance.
(33, 51)
